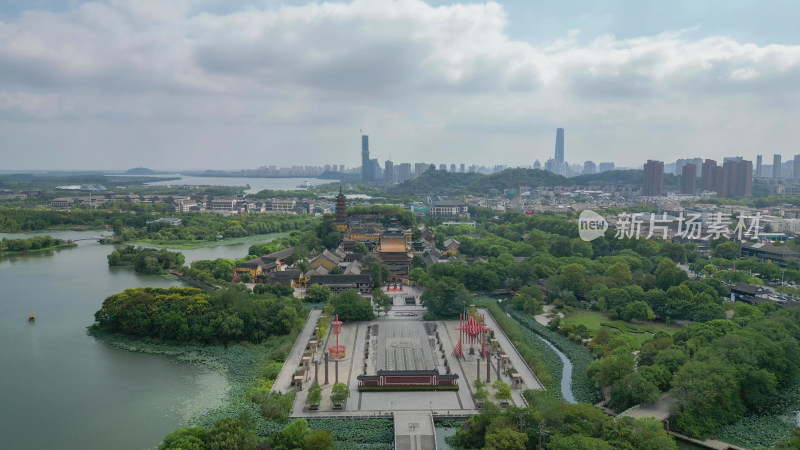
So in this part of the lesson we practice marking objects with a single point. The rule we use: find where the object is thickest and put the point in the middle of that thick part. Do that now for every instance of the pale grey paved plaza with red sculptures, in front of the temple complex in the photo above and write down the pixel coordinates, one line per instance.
(402, 342)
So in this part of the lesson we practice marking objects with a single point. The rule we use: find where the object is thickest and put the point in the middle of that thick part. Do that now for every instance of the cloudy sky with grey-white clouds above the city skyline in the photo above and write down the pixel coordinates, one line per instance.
(230, 85)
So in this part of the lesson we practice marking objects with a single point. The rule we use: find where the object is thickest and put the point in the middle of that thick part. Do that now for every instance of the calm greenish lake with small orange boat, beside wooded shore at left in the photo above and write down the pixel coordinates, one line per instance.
(59, 387)
